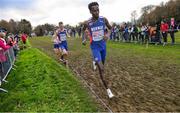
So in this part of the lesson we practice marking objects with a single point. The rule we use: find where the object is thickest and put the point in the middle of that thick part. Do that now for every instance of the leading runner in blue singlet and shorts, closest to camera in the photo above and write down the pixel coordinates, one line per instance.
(97, 27)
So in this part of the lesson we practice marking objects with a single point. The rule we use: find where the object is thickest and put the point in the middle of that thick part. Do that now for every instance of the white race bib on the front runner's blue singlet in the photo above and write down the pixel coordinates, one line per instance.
(98, 35)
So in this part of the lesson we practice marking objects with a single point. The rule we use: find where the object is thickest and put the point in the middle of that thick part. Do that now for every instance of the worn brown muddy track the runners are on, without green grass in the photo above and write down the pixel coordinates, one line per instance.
(139, 84)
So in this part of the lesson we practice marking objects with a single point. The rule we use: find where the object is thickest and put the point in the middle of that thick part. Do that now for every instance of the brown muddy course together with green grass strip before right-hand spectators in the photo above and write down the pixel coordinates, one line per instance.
(143, 79)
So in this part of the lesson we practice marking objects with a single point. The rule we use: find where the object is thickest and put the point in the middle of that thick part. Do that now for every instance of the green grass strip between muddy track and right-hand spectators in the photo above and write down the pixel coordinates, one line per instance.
(167, 53)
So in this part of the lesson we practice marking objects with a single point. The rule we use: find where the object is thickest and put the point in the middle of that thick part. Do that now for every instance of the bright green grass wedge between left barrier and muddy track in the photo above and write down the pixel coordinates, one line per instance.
(41, 84)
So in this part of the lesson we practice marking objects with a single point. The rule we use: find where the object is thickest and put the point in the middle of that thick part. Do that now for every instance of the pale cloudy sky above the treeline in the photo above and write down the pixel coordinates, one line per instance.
(69, 11)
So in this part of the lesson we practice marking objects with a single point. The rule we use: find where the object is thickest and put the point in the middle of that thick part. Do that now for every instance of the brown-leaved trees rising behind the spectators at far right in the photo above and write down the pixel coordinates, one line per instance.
(164, 11)
